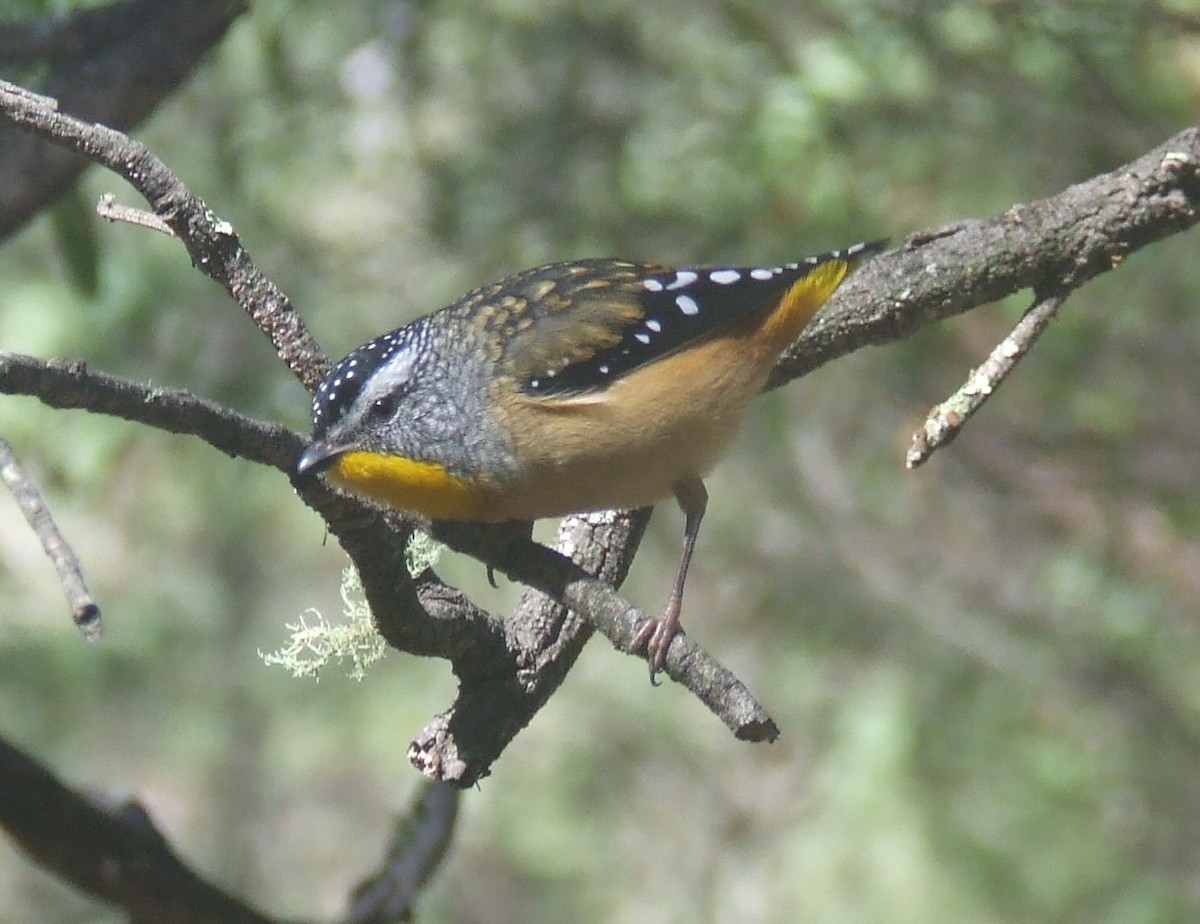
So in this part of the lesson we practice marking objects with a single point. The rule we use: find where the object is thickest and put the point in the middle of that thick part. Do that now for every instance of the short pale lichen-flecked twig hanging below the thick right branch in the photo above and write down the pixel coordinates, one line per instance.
(947, 419)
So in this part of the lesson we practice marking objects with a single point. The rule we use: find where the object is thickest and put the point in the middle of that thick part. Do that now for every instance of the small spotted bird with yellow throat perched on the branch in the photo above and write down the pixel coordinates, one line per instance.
(568, 388)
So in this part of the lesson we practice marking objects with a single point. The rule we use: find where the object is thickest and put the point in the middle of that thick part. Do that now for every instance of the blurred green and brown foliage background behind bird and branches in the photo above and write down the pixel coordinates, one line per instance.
(986, 671)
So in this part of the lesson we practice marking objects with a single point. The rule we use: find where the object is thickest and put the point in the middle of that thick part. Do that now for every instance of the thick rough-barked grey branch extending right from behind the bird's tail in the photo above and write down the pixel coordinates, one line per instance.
(1053, 244)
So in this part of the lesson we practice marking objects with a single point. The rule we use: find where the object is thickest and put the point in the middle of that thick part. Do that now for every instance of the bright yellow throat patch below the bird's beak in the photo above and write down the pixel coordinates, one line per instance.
(424, 488)
